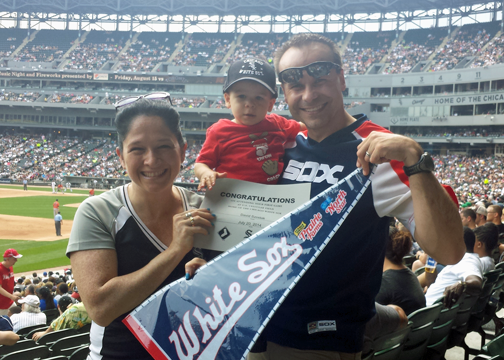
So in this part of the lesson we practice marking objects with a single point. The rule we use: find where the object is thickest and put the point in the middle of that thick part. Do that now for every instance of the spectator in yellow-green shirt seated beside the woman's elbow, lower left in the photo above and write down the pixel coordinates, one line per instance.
(71, 317)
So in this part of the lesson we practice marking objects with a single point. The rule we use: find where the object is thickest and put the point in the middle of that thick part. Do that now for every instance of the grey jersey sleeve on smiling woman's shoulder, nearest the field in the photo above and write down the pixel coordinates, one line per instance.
(92, 227)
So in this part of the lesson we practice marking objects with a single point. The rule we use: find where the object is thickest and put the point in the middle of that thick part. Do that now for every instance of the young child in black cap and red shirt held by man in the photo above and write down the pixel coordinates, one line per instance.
(251, 146)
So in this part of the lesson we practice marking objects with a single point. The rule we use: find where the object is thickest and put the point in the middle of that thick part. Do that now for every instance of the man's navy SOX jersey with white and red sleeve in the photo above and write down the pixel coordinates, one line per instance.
(329, 307)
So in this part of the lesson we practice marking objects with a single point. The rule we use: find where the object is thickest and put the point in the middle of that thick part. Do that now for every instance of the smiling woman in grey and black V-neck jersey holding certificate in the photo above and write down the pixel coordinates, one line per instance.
(128, 242)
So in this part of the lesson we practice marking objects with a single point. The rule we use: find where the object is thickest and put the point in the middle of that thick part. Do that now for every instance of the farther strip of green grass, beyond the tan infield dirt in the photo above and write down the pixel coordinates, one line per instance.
(39, 206)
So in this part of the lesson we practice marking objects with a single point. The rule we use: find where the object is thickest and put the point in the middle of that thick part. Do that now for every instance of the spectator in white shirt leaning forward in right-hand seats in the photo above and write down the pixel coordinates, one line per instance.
(465, 276)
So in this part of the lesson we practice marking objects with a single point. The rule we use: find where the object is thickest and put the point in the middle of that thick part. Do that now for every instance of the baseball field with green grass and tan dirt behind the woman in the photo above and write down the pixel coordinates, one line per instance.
(27, 225)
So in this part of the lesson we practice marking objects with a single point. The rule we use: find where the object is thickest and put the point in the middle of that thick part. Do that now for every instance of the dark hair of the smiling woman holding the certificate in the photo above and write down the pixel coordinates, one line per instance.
(160, 108)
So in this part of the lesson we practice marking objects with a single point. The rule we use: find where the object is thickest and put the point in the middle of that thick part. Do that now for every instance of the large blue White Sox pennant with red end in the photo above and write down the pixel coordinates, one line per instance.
(220, 313)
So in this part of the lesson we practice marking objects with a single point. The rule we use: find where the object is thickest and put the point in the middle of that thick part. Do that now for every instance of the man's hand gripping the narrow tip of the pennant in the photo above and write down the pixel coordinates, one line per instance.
(380, 147)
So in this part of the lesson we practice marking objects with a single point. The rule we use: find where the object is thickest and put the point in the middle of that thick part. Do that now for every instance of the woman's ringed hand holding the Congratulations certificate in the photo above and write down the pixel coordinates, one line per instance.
(188, 224)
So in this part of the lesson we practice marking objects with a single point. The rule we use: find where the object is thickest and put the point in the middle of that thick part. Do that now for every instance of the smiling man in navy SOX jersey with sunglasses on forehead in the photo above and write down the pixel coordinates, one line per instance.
(328, 309)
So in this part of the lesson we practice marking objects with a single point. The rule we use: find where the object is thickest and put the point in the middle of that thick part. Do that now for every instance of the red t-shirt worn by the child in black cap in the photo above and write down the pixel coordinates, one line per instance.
(252, 153)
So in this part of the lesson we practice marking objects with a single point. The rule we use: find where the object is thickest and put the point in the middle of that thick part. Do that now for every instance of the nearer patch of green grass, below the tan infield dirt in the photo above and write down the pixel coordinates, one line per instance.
(38, 255)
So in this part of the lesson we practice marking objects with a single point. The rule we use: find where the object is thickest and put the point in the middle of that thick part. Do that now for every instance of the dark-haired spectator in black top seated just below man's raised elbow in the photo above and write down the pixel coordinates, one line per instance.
(399, 285)
